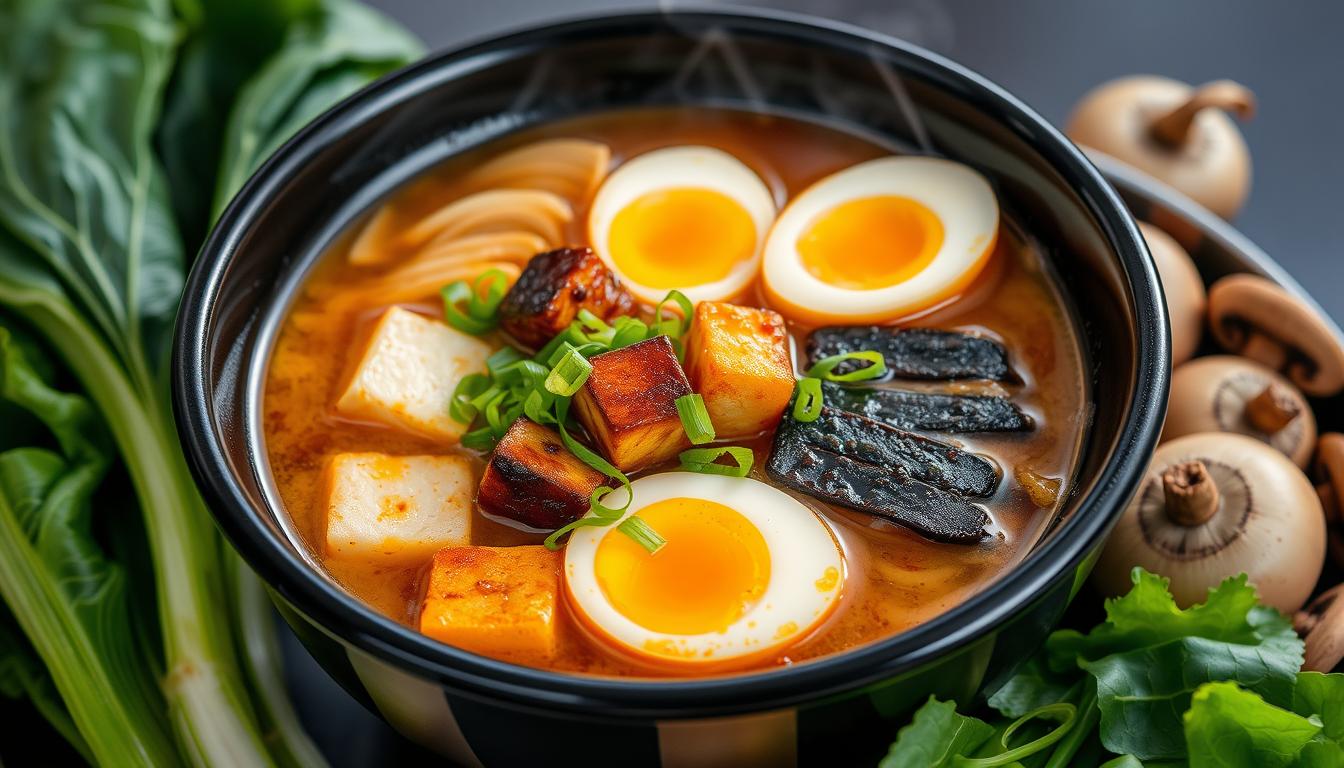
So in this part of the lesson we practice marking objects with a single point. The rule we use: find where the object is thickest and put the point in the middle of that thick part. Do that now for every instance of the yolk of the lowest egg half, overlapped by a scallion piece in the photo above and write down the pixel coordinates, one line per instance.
(714, 567)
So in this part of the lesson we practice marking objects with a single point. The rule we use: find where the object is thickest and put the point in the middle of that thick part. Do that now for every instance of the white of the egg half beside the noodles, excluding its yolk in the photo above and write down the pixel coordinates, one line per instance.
(683, 167)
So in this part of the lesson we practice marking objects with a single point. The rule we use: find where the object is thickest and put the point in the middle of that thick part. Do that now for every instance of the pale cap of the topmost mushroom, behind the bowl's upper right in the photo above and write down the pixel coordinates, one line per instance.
(1213, 167)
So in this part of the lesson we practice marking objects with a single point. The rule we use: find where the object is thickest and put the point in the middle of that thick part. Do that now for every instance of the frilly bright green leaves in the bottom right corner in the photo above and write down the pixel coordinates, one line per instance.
(1162, 687)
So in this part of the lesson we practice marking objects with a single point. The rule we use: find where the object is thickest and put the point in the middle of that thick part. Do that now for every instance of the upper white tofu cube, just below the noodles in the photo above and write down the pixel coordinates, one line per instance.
(408, 375)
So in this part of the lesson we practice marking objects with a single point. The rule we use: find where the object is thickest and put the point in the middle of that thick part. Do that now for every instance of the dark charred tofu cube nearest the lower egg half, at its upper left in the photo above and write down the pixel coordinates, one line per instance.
(536, 481)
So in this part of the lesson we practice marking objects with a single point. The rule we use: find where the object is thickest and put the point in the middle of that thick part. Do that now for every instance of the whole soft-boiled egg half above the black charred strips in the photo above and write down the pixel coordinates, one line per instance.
(880, 241)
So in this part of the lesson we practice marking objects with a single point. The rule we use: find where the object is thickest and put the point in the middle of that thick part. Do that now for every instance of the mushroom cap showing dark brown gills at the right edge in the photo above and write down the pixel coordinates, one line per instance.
(1245, 306)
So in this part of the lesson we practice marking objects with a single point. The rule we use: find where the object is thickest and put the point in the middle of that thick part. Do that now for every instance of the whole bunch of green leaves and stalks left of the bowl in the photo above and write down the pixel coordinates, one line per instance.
(92, 260)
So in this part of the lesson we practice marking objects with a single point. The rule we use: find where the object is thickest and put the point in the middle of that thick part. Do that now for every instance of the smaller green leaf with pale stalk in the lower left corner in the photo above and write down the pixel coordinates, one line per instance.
(69, 598)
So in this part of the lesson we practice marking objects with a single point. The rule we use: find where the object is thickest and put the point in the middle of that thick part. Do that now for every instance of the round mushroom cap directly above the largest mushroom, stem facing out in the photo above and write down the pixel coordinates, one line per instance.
(1210, 395)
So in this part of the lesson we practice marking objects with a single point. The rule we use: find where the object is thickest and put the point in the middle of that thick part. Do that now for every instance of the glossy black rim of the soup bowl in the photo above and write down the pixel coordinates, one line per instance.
(339, 614)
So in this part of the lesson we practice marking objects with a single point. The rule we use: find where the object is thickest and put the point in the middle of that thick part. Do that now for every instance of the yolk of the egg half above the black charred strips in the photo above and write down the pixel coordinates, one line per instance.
(872, 243)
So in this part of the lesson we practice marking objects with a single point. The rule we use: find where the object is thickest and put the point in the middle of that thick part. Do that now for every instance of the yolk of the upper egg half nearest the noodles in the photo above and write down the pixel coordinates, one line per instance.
(679, 237)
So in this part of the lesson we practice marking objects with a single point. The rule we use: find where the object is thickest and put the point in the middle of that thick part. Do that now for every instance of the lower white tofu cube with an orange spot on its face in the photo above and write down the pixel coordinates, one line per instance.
(397, 509)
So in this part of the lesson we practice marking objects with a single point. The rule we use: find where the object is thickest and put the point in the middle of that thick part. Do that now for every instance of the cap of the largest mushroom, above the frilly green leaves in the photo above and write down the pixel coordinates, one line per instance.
(1268, 525)
